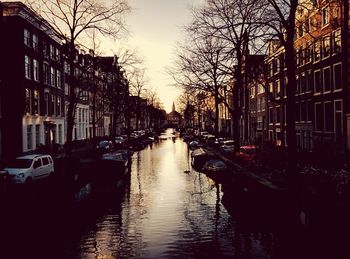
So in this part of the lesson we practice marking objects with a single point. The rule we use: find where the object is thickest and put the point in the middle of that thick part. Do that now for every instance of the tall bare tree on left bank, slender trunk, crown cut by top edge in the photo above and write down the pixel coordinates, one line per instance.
(73, 18)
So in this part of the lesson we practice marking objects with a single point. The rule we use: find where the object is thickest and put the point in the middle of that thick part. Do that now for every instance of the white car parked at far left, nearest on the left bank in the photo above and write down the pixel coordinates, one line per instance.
(25, 169)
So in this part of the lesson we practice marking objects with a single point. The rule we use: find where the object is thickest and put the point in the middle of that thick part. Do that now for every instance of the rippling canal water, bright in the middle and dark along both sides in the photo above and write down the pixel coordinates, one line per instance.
(164, 210)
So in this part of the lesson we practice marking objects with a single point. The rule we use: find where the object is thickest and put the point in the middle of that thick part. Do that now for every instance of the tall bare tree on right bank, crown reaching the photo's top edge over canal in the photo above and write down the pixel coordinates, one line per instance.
(229, 26)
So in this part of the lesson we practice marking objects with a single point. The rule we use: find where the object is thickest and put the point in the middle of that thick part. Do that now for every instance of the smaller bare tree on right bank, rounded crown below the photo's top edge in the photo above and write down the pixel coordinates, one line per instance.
(202, 64)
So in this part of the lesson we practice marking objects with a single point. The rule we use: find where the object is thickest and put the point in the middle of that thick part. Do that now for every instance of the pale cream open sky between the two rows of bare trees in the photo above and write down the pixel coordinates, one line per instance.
(156, 26)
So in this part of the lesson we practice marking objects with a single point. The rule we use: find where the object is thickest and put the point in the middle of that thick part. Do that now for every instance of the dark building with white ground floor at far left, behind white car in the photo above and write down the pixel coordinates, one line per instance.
(32, 81)
